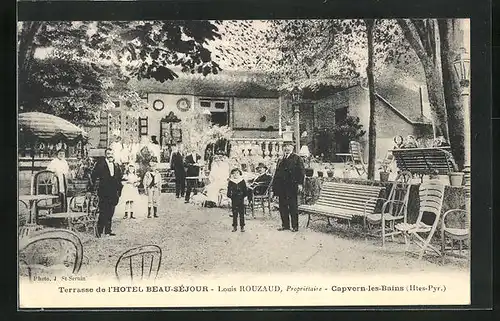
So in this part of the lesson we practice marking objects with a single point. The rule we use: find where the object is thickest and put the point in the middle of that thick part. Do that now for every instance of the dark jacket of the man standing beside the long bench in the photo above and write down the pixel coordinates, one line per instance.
(290, 173)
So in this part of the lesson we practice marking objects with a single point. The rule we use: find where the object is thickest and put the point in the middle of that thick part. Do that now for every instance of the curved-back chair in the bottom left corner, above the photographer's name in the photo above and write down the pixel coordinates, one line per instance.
(50, 250)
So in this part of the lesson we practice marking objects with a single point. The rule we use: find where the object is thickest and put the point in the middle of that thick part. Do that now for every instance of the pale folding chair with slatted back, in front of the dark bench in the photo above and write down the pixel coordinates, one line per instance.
(431, 201)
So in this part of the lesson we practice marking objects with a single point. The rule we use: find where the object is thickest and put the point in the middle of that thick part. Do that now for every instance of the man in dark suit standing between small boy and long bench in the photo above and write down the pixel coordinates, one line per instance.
(287, 184)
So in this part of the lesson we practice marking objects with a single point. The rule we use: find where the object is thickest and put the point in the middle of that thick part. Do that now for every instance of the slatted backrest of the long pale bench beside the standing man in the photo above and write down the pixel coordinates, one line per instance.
(352, 197)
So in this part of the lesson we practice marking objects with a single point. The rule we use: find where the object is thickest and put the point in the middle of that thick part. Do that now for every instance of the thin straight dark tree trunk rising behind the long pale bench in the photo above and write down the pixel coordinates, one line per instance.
(372, 134)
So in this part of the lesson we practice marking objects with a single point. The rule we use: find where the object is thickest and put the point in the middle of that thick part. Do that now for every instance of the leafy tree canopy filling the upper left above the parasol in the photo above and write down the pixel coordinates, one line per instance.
(72, 69)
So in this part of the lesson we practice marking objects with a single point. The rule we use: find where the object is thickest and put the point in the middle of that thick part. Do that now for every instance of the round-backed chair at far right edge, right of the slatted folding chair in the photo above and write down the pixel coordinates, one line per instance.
(454, 227)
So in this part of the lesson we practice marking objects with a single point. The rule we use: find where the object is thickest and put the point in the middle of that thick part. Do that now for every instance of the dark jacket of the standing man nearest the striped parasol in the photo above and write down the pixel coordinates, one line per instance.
(110, 187)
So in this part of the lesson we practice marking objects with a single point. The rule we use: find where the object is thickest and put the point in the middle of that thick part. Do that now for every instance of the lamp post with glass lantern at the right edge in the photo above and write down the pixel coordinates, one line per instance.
(461, 66)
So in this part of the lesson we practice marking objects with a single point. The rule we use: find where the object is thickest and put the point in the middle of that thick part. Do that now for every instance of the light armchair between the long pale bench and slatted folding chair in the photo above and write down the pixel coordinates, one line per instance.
(394, 208)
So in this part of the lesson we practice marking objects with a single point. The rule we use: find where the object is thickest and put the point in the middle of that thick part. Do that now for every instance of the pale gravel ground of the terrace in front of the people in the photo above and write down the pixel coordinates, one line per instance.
(197, 240)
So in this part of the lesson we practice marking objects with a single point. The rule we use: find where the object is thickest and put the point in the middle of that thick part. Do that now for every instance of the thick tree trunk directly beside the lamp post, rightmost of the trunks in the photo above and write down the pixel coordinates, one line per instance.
(450, 44)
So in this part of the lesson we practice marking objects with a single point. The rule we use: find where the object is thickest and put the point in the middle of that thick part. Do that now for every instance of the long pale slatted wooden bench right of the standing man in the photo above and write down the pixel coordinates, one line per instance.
(343, 201)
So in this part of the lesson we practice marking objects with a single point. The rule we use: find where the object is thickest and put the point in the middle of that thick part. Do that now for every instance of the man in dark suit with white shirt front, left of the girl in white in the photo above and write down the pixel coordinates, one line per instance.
(109, 190)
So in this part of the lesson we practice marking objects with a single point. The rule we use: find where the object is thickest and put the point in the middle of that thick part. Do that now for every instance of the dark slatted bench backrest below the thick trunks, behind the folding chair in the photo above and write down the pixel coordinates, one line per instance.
(425, 160)
